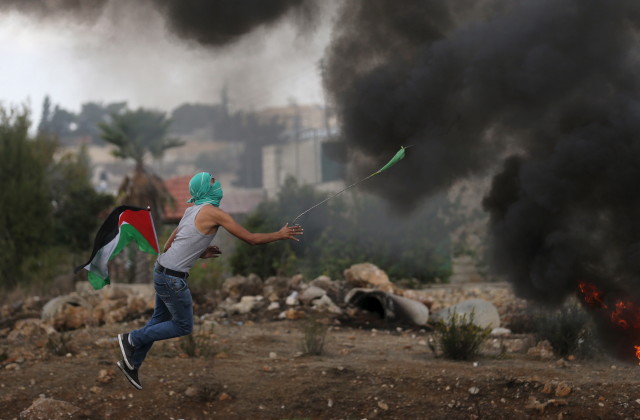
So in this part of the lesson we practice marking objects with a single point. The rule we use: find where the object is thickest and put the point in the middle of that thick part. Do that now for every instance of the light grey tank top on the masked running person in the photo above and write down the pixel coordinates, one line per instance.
(188, 244)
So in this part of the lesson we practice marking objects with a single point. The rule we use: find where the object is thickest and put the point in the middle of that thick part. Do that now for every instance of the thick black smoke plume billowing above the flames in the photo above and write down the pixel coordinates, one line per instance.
(544, 93)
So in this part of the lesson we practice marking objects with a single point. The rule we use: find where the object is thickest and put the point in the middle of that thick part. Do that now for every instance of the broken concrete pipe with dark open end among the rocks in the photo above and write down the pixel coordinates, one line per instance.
(390, 307)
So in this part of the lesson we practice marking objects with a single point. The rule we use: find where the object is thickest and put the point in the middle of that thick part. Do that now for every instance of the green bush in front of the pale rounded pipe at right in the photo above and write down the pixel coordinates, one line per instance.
(460, 338)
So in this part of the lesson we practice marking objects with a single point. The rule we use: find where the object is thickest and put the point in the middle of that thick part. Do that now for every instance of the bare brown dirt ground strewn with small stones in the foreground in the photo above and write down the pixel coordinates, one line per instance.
(254, 370)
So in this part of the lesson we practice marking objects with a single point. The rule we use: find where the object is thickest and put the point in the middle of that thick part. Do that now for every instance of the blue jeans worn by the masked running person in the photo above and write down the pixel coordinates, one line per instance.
(172, 316)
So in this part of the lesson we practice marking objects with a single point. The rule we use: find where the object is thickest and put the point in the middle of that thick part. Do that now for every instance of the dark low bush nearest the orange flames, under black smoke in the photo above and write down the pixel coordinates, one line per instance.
(569, 330)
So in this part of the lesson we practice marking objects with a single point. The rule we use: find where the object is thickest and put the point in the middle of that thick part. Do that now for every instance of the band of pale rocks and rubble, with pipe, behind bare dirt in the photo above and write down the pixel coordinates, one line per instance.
(249, 297)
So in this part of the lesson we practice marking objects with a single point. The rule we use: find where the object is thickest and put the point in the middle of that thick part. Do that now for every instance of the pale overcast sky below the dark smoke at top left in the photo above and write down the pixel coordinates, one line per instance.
(128, 55)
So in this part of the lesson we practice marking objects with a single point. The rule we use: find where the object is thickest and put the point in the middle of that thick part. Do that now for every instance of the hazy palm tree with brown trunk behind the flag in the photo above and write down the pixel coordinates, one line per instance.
(136, 135)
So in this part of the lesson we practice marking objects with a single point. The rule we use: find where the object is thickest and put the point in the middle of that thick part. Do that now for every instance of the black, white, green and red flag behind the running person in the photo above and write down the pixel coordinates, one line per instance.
(123, 225)
